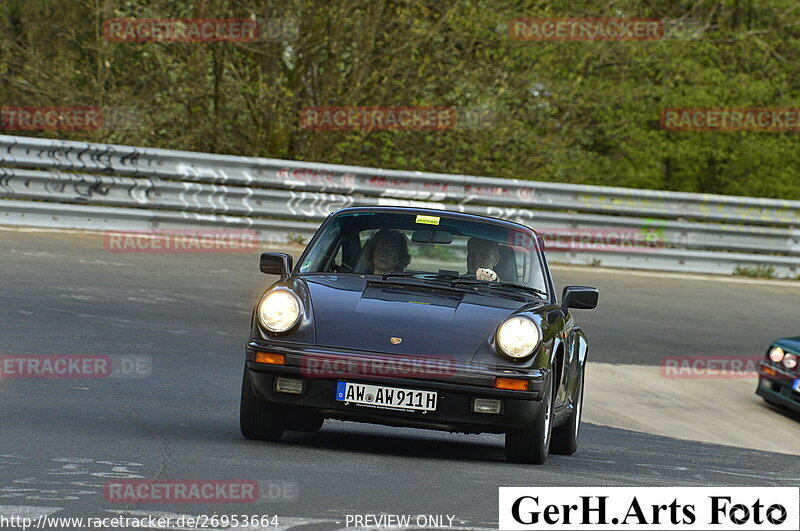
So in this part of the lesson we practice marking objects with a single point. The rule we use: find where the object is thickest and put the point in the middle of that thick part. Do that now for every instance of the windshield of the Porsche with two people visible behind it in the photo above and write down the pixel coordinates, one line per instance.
(427, 246)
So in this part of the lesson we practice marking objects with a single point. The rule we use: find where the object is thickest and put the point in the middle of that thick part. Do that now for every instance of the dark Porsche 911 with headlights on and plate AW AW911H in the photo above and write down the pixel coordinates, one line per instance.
(420, 318)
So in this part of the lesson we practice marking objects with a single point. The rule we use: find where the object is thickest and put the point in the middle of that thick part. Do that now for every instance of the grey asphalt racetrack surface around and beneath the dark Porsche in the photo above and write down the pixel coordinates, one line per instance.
(188, 315)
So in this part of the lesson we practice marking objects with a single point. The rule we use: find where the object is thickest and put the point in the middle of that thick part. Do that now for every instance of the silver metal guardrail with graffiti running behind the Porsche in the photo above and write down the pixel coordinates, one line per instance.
(98, 186)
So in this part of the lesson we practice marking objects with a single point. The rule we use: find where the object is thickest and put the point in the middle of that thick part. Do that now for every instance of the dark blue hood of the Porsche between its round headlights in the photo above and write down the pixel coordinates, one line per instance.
(355, 313)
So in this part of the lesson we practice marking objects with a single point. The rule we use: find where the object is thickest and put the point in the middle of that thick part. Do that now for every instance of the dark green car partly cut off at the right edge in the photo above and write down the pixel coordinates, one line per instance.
(778, 377)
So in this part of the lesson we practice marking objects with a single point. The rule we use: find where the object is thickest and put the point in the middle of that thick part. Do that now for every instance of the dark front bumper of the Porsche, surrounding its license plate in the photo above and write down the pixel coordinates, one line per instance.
(456, 392)
